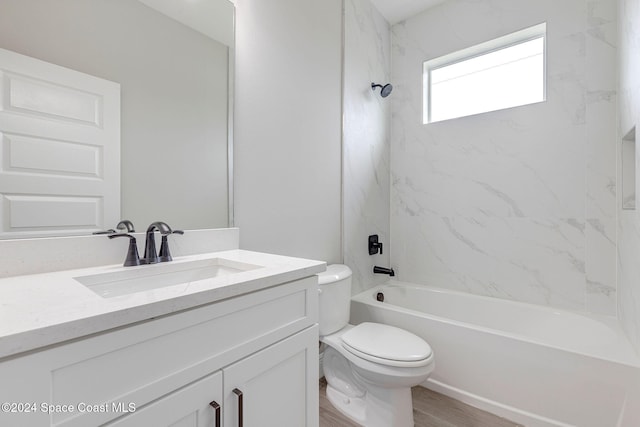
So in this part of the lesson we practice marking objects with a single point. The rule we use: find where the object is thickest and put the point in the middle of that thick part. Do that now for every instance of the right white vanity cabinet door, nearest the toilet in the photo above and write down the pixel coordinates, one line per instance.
(277, 386)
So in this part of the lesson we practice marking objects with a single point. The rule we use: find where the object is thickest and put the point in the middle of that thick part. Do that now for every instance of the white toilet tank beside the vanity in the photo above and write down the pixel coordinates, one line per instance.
(334, 298)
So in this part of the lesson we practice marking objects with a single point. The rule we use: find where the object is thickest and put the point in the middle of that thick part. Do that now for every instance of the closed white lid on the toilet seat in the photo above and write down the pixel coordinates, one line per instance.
(386, 342)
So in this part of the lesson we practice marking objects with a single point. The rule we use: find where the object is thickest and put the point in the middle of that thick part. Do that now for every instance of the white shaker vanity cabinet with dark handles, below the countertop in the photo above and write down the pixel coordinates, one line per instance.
(256, 352)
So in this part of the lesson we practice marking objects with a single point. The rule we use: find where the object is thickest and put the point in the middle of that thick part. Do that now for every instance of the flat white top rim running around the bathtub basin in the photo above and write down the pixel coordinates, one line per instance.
(632, 360)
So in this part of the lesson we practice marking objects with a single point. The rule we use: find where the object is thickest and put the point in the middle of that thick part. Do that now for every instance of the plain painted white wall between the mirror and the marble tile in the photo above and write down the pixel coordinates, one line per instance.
(287, 164)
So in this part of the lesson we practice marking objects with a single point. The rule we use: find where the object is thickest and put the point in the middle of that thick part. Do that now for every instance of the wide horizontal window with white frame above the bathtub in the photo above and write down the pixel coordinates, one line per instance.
(502, 73)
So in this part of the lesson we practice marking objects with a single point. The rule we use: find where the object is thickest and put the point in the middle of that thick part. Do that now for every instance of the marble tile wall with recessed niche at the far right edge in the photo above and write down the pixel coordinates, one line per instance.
(629, 220)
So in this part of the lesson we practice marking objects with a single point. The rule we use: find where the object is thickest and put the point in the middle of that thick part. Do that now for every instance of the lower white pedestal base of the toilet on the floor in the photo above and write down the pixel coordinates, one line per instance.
(379, 407)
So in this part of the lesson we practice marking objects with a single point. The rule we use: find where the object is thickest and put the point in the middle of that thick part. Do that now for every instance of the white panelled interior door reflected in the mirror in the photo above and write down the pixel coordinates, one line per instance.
(59, 149)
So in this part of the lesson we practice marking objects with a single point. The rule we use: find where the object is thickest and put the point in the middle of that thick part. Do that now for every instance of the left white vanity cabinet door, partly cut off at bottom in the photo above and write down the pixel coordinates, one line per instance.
(196, 405)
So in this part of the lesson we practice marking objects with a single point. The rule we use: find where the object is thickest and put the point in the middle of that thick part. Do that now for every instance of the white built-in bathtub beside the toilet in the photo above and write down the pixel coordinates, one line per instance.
(534, 365)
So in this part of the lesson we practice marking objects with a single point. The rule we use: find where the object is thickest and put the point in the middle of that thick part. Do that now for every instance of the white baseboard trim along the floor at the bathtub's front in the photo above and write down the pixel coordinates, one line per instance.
(513, 414)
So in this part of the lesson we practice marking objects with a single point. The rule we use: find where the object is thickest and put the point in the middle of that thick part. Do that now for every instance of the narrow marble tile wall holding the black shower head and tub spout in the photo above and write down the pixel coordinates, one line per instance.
(367, 55)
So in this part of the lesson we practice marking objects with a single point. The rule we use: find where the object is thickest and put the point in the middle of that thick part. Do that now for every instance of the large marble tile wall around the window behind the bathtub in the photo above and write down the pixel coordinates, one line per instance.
(518, 203)
